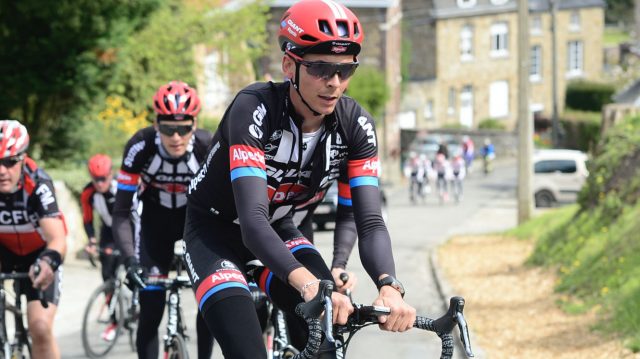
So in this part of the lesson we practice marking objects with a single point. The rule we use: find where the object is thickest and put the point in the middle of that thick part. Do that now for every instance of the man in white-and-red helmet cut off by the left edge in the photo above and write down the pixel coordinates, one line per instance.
(32, 230)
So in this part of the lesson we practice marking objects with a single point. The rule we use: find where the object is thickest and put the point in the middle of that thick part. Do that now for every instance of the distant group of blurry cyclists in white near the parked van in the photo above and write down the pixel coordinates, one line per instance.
(444, 170)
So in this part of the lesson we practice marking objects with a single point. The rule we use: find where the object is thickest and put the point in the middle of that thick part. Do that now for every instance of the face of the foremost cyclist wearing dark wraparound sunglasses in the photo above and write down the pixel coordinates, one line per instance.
(321, 93)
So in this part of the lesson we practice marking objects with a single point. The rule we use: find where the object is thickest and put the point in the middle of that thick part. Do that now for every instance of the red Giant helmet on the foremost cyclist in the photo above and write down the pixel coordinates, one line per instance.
(320, 27)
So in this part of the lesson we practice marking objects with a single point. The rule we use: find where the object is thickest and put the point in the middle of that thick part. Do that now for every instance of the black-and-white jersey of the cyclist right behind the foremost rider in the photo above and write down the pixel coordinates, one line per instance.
(148, 170)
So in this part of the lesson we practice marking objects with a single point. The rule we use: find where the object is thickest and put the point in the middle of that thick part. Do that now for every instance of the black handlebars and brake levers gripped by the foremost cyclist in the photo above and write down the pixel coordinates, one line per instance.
(363, 316)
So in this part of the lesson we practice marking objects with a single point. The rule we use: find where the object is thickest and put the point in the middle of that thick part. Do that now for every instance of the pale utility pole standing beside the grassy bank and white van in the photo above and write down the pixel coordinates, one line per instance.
(525, 121)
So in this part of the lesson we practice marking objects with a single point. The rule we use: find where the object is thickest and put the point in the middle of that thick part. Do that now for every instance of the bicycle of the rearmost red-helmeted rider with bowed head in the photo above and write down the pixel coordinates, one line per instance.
(112, 310)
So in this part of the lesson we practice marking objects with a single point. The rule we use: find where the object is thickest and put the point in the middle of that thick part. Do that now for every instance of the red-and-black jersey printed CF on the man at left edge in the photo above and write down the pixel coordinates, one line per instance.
(20, 211)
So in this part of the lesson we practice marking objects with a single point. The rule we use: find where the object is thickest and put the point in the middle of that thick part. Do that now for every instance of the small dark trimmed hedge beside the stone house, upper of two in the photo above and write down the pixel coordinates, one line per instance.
(588, 96)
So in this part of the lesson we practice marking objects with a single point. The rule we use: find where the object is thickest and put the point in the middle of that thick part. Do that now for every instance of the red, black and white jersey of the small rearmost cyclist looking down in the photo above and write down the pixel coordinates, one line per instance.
(102, 203)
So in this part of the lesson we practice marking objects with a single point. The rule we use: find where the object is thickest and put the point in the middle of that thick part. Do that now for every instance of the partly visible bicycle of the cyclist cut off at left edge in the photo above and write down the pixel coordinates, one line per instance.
(20, 346)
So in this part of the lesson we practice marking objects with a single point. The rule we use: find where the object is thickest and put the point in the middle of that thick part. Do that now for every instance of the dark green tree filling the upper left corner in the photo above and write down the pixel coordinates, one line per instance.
(49, 49)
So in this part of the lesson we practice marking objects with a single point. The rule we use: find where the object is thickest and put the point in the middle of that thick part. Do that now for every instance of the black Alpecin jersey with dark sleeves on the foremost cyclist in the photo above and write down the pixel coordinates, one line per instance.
(253, 174)
